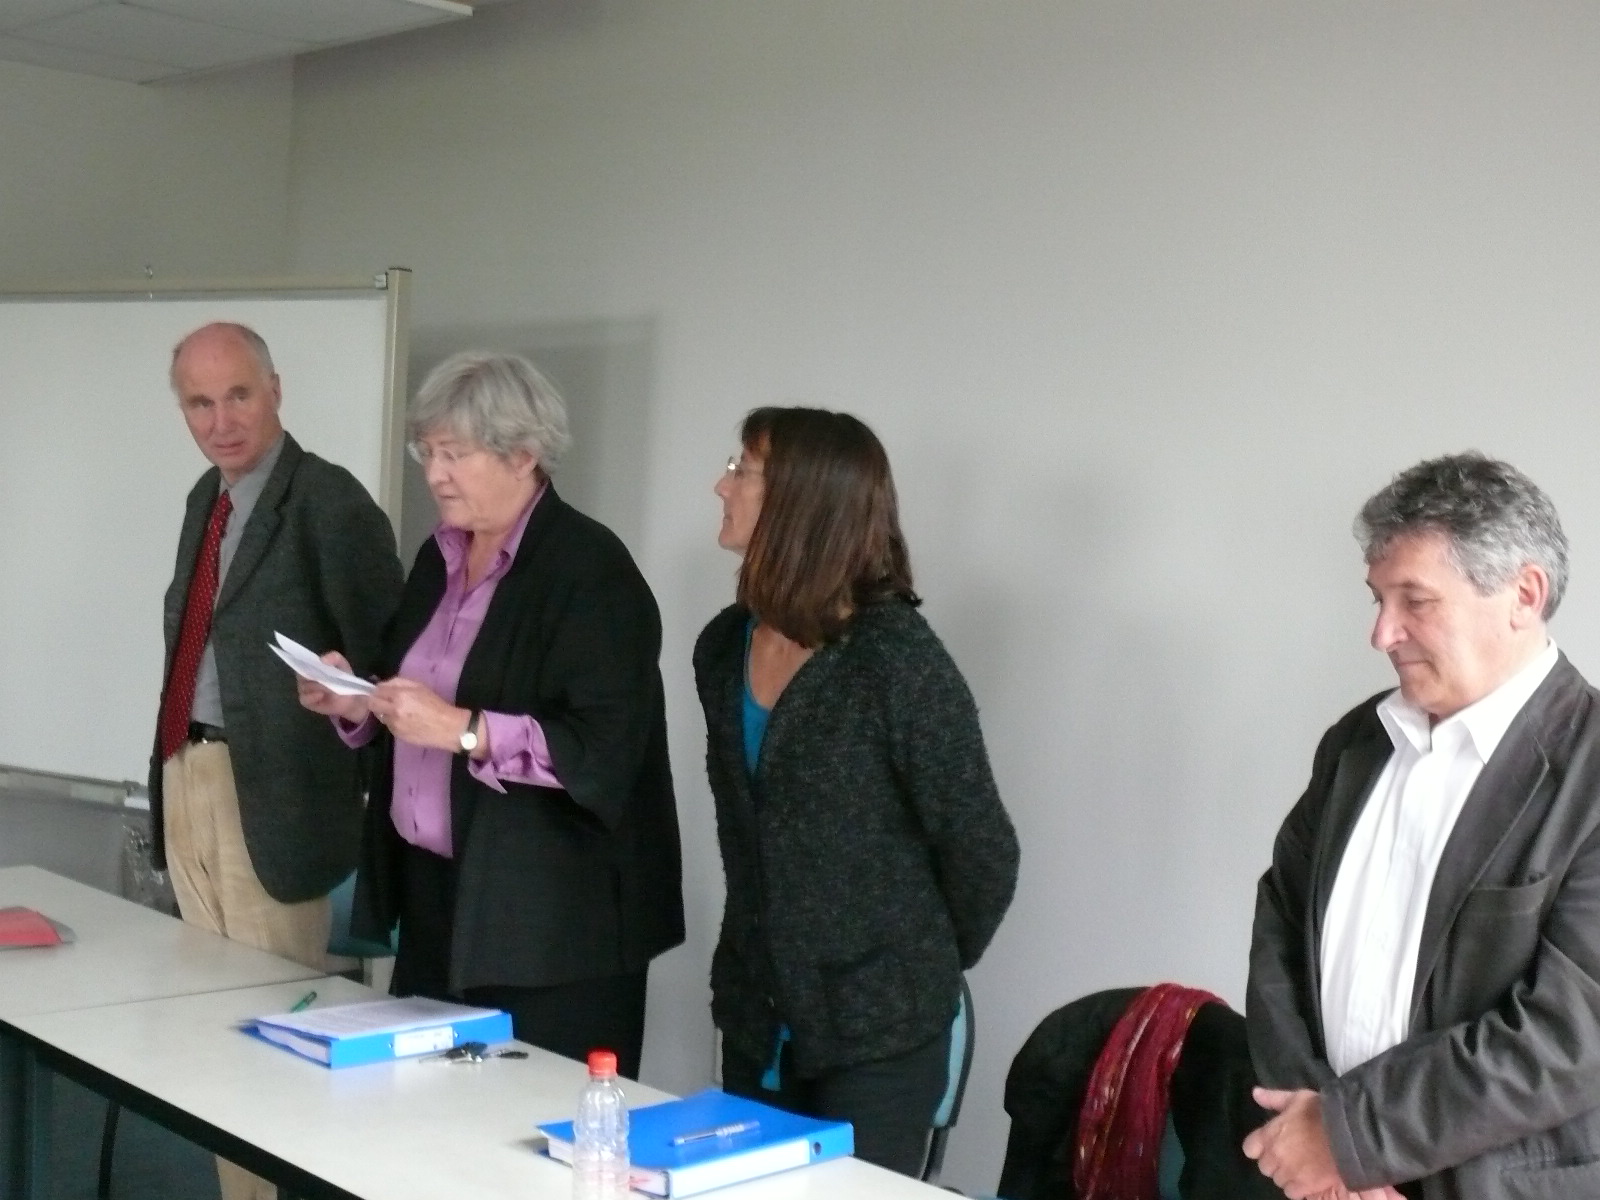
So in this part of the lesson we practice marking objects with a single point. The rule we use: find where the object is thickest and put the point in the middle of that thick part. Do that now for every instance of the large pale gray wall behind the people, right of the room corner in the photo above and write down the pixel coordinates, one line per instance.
(1145, 300)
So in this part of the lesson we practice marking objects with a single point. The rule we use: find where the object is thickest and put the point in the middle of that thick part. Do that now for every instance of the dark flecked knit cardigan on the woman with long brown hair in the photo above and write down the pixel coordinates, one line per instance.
(870, 862)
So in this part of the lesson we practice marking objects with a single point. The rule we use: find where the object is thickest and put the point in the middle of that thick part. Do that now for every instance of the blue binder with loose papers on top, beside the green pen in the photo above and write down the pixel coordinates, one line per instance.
(377, 1031)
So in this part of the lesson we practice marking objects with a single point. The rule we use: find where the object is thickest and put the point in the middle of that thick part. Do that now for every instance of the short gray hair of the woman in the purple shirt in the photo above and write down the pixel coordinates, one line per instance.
(498, 401)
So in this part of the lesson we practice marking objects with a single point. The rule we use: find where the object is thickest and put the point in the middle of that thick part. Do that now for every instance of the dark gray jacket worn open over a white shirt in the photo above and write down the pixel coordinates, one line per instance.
(1495, 1092)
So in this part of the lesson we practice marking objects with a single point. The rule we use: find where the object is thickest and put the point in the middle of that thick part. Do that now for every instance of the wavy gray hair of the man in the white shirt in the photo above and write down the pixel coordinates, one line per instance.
(1495, 521)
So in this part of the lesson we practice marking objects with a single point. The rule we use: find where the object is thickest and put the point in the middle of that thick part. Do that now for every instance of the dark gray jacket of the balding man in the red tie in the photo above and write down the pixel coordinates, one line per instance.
(316, 562)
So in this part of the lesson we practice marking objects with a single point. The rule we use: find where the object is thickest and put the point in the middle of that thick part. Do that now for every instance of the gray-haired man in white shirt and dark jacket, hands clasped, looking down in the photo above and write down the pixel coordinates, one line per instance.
(1425, 978)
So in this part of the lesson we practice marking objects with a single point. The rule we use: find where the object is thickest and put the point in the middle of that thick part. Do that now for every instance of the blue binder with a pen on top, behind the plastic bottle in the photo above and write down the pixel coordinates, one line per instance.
(711, 1140)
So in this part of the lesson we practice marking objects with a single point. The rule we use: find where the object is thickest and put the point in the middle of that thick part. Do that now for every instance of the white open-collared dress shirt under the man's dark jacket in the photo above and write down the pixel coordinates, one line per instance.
(1374, 926)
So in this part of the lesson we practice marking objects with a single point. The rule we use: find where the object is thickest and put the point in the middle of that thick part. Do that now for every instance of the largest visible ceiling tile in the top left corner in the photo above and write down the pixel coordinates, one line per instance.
(158, 38)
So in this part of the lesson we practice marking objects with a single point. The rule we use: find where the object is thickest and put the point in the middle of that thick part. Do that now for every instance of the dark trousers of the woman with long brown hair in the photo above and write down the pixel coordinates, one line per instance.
(889, 1103)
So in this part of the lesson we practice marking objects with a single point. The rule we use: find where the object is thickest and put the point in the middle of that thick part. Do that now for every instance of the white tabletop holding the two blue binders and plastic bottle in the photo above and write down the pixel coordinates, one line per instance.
(409, 1130)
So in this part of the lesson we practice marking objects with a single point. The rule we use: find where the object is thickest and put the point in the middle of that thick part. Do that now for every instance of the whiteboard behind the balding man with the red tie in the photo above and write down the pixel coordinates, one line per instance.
(97, 462)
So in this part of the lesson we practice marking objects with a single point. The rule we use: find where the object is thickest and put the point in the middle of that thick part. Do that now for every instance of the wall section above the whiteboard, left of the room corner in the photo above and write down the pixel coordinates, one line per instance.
(100, 178)
